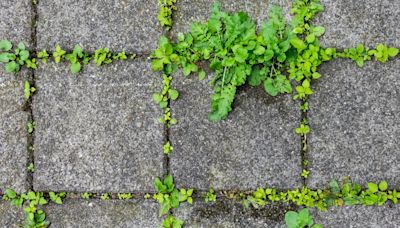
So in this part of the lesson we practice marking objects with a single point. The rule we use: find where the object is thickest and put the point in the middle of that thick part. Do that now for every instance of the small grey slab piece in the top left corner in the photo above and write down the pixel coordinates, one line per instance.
(15, 20)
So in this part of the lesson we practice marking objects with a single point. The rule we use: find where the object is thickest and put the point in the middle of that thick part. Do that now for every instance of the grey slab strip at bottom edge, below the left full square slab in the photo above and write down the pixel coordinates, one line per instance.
(78, 213)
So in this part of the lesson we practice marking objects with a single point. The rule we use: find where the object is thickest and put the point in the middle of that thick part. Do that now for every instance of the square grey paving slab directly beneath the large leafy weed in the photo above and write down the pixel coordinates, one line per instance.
(255, 146)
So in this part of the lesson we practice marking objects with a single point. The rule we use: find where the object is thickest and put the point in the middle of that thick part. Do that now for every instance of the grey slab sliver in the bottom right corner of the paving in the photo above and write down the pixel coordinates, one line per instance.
(359, 217)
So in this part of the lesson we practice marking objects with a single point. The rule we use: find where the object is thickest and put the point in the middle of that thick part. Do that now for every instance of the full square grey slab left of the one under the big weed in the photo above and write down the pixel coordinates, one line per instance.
(99, 130)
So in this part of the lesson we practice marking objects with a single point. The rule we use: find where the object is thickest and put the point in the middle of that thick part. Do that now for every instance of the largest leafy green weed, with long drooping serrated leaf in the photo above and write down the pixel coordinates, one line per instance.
(237, 54)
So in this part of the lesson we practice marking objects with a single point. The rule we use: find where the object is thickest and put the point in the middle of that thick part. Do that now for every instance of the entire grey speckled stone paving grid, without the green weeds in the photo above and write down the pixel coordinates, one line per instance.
(98, 131)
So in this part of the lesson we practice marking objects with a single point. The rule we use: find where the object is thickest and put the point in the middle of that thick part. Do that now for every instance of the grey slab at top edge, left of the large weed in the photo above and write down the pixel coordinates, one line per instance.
(129, 25)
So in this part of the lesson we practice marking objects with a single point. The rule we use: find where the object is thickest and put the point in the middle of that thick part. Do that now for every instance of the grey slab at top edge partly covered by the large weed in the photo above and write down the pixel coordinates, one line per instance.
(199, 11)
